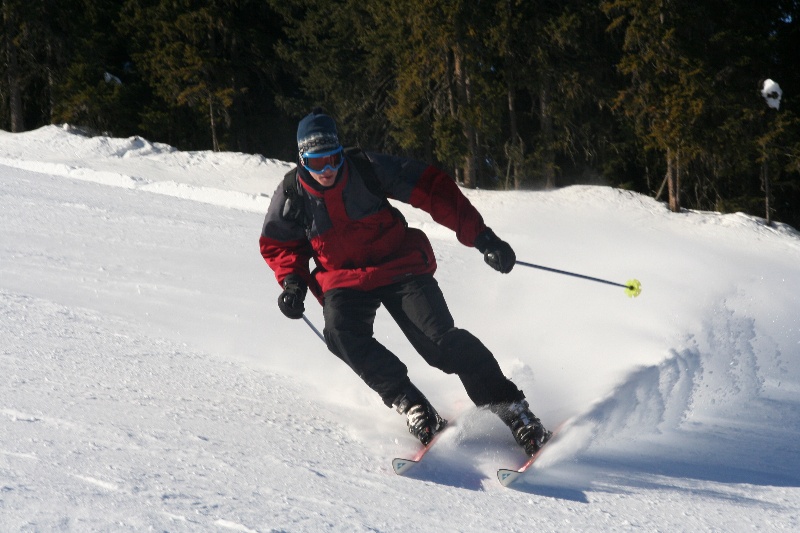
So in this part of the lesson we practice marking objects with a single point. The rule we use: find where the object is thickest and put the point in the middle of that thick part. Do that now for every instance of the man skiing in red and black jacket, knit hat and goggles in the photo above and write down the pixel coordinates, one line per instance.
(333, 209)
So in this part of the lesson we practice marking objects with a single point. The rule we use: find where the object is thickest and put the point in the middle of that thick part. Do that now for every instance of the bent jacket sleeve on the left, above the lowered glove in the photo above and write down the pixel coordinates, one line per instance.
(283, 243)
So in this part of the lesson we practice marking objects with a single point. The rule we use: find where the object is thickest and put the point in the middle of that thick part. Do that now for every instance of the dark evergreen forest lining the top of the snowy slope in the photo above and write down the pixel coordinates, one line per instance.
(658, 96)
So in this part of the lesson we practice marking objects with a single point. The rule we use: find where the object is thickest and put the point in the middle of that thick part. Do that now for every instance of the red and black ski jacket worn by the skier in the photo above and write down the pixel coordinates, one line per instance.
(355, 237)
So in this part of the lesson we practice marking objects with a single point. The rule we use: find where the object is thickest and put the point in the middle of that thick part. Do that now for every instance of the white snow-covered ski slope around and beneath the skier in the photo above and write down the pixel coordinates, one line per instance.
(149, 381)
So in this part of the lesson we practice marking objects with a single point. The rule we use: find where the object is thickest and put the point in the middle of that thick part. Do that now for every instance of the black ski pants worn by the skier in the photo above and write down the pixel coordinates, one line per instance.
(419, 308)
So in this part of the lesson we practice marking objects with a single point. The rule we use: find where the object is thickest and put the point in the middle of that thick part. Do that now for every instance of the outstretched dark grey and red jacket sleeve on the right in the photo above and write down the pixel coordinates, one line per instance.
(432, 190)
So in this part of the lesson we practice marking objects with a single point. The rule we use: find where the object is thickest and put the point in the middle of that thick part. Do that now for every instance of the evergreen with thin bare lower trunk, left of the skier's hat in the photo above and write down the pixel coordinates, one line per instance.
(196, 55)
